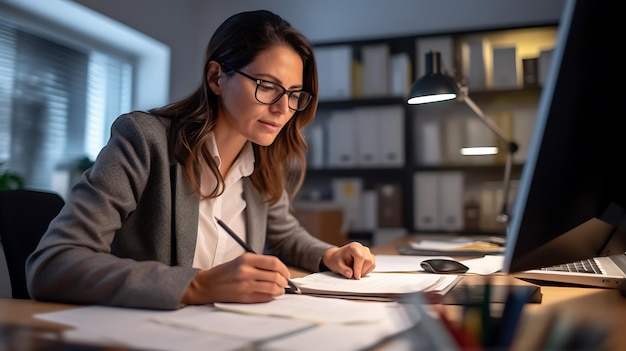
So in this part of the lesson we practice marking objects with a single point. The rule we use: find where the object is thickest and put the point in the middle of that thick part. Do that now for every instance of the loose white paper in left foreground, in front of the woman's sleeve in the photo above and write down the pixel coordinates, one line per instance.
(204, 327)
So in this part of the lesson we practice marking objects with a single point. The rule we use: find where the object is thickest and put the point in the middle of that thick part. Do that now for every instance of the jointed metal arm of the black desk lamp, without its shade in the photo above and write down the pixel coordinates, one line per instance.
(512, 147)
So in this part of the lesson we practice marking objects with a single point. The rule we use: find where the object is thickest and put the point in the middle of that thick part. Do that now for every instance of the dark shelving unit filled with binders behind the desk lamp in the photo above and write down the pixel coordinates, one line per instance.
(513, 108)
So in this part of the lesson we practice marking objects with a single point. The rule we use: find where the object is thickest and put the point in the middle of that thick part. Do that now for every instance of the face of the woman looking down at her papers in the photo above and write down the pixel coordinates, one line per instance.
(241, 114)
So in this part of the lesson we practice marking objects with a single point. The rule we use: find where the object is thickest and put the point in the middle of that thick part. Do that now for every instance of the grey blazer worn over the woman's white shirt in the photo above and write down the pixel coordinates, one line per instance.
(127, 234)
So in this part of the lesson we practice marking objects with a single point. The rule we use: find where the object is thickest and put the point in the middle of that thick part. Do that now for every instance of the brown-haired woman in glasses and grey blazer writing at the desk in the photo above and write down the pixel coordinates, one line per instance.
(139, 229)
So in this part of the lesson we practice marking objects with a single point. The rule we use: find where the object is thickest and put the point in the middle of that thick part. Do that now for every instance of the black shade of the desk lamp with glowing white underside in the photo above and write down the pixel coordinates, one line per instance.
(434, 85)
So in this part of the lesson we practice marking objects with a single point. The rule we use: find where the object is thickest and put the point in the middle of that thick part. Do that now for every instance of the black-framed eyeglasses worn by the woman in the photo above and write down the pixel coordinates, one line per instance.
(269, 93)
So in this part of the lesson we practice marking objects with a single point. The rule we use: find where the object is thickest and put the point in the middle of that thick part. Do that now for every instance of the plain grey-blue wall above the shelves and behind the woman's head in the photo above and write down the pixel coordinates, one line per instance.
(186, 25)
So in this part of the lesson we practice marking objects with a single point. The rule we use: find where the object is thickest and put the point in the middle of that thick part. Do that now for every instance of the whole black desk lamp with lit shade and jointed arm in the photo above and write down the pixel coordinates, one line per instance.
(436, 86)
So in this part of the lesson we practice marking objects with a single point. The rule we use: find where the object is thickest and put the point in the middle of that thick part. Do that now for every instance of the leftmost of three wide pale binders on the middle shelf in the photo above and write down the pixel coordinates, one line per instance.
(341, 139)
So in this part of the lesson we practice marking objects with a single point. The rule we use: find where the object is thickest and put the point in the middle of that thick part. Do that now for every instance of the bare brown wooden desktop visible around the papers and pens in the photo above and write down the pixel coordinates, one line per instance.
(592, 305)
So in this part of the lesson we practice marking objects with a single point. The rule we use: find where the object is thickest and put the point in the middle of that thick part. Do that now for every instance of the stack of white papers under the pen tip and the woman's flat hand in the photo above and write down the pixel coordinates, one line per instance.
(375, 285)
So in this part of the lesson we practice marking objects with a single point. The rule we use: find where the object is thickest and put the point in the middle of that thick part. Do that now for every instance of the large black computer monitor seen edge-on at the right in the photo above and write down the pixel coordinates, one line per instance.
(571, 200)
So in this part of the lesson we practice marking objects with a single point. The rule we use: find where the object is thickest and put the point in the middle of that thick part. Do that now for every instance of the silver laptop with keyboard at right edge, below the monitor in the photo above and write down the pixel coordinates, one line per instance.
(605, 272)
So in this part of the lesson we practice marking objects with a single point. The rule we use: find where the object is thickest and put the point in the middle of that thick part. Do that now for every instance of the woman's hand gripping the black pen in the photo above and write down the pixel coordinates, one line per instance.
(250, 278)
